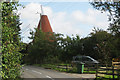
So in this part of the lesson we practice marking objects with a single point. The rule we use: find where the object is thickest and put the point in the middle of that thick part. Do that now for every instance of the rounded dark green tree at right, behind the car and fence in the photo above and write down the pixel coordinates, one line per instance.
(103, 45)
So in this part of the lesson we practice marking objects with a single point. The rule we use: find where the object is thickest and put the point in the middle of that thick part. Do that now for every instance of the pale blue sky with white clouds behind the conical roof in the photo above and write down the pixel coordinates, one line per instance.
(65, 17)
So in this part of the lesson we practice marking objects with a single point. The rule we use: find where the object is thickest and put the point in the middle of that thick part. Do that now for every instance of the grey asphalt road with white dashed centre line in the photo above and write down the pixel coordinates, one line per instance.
(38, 73)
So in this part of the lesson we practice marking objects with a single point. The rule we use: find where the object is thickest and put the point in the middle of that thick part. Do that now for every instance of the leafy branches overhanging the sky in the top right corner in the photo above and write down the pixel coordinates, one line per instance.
(113, 8)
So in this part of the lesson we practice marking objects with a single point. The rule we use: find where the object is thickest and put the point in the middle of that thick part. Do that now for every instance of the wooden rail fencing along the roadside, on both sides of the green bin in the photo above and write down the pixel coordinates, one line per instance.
(102, 71)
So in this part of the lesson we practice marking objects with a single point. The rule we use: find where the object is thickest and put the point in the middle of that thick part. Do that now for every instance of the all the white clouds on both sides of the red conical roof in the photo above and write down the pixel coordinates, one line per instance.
(76, 22)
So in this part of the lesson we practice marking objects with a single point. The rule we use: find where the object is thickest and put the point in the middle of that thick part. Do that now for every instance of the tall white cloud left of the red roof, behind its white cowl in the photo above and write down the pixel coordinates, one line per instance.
(30, 17)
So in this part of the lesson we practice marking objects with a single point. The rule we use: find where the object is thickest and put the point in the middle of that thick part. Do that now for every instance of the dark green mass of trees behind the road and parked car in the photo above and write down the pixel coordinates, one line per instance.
(100, 45)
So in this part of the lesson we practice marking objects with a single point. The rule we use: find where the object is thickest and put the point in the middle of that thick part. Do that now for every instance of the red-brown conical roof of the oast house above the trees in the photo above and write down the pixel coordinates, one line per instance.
(44, 24)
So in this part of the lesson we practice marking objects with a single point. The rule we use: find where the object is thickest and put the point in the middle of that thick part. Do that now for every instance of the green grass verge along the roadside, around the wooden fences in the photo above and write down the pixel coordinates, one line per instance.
(74, 70)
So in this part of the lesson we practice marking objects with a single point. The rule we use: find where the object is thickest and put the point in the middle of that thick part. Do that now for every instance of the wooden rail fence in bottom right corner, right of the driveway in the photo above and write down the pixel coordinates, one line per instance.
(108, 72)
